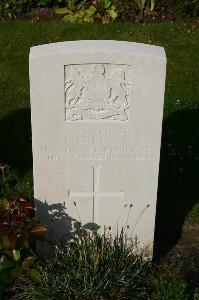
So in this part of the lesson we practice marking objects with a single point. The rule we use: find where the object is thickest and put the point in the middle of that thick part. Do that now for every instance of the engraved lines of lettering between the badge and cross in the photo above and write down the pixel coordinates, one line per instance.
(98, 144)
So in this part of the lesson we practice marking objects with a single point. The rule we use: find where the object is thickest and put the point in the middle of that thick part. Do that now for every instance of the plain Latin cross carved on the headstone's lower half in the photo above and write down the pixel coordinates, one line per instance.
(96, 194)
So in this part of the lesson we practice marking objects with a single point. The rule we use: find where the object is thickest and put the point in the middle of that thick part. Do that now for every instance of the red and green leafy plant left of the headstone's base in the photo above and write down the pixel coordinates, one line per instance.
(18, 232)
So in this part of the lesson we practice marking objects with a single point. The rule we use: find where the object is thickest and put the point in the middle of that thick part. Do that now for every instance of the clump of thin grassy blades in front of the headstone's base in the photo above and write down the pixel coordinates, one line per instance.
(90, 267)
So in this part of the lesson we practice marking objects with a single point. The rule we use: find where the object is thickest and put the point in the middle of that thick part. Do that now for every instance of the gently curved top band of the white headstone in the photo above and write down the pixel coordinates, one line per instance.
(95, 46)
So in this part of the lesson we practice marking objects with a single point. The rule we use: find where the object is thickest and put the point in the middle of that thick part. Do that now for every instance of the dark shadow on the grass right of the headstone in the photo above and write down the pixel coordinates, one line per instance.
(178, 188)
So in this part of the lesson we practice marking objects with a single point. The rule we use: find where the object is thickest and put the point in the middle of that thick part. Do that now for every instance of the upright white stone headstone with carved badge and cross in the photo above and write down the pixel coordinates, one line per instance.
(97, 111)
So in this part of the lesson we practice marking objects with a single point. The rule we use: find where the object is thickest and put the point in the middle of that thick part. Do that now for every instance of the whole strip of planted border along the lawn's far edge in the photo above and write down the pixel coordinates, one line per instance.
(106, 10)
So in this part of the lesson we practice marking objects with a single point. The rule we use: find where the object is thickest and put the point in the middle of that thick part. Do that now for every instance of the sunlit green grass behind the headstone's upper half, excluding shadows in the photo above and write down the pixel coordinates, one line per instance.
(17, 37)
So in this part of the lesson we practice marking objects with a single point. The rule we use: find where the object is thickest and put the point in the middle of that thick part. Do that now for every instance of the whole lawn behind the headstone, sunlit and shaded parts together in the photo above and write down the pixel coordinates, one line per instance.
(178, 193)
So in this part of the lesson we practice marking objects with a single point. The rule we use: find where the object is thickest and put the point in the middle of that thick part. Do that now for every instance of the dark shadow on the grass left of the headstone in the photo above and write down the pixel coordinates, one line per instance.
(15, 140)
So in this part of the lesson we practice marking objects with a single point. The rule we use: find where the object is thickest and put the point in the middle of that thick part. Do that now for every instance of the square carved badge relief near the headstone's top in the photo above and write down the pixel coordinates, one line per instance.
(96, 92)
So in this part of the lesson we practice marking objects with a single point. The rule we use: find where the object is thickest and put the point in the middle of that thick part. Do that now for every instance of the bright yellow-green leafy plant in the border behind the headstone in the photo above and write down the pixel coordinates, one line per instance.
(85, 12)
